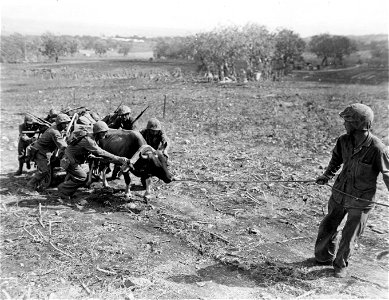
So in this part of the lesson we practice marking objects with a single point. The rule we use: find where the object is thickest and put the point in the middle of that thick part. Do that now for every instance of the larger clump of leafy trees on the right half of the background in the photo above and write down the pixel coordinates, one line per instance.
(221, 50)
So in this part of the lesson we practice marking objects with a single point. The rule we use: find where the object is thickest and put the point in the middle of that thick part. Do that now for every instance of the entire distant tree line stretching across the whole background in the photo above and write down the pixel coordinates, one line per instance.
(226, 51)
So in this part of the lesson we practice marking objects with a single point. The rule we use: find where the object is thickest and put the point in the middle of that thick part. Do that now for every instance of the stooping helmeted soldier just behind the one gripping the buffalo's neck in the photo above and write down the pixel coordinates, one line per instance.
(50, 141)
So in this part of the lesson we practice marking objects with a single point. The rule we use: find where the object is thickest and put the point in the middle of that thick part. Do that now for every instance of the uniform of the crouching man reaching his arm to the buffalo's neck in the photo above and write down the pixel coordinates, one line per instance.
(75, 155)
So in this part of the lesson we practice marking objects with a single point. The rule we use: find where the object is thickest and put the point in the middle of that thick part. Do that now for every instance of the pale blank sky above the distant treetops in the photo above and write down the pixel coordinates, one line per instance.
(156, 17)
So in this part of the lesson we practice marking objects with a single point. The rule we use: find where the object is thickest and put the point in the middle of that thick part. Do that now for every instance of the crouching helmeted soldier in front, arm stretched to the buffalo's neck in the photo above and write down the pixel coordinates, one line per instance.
(76, 153)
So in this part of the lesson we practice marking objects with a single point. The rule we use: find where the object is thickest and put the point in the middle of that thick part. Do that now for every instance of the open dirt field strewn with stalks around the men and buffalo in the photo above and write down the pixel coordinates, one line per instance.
(195, 240)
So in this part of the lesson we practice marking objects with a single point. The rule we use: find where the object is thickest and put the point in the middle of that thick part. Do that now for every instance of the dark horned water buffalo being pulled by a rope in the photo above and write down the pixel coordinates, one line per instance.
(145, 161)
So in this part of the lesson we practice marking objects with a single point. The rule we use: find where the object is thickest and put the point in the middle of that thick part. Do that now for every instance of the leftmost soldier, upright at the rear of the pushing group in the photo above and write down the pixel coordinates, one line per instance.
(27, 132)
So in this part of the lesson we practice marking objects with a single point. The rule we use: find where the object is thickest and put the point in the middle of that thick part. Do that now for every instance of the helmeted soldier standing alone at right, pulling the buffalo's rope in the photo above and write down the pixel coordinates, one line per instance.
(362, 157)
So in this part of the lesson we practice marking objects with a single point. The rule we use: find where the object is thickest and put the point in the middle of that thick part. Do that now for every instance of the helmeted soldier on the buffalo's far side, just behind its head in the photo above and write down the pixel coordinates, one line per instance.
(155, 136)
